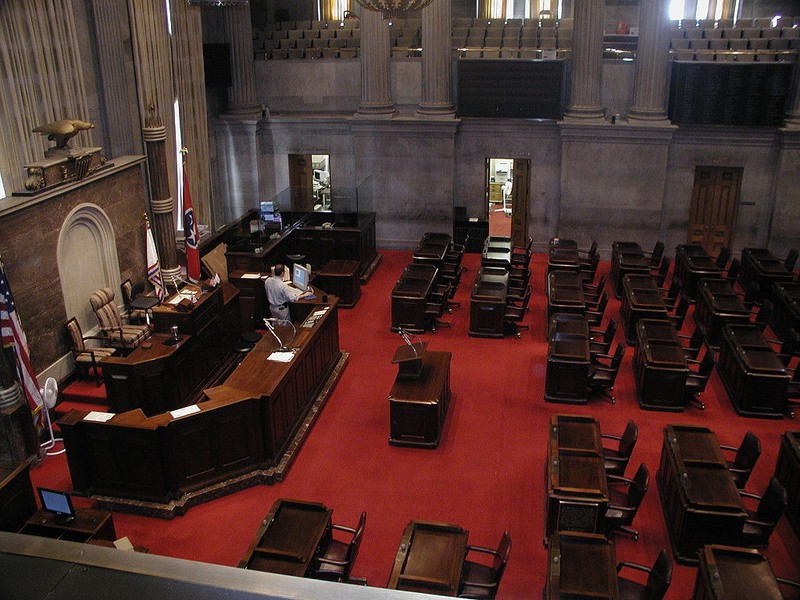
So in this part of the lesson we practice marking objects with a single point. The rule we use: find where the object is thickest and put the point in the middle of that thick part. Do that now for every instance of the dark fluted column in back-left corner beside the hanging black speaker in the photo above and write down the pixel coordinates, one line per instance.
(242, 97)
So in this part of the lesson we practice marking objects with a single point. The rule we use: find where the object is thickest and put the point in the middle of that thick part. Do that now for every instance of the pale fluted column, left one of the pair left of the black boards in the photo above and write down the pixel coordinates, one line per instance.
(376, 89)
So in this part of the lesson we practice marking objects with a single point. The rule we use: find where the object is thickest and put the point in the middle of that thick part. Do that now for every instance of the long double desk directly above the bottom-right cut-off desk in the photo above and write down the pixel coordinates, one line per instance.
(698, 496)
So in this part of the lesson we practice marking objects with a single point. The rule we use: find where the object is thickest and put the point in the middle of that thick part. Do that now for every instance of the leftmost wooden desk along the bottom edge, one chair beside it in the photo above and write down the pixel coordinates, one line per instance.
(289, 538)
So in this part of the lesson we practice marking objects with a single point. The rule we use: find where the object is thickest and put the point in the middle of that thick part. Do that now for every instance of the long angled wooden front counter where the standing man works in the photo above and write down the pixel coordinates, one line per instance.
(245, 425)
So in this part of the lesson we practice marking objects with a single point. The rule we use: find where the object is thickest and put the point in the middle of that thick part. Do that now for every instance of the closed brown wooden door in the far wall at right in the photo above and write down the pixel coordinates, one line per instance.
(713, 210)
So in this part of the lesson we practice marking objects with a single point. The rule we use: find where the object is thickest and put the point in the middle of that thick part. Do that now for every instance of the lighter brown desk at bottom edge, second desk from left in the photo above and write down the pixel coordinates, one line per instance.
(429, 559)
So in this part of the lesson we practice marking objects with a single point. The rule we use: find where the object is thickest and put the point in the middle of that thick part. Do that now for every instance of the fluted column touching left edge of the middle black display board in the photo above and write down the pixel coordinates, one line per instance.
(436, 65)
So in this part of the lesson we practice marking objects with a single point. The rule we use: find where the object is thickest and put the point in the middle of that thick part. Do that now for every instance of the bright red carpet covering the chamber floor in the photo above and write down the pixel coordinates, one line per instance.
(487, 474)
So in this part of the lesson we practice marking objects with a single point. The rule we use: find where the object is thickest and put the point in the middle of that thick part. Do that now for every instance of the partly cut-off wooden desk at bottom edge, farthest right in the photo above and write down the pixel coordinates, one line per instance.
(727, 572)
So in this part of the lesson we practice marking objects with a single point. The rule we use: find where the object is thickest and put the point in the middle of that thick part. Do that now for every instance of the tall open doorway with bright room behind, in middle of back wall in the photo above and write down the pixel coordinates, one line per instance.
(507, 198)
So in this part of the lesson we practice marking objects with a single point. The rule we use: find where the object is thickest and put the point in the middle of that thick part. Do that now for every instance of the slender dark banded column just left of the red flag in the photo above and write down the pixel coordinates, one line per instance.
(162, 204)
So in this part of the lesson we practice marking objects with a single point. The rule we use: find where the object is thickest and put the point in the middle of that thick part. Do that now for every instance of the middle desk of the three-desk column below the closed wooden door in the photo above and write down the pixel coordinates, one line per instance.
(717, 305)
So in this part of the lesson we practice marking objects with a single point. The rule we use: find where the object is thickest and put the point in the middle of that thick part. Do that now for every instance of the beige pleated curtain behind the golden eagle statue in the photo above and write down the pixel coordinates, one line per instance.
(41, 76)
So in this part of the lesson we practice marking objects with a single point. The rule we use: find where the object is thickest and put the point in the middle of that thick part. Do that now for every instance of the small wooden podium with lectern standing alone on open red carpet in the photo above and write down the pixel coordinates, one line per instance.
(420, 396)
